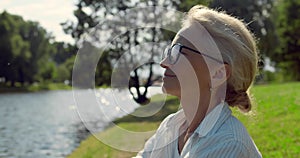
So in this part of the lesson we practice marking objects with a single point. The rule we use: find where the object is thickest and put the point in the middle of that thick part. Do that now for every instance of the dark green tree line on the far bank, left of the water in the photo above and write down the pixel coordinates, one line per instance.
(29, 54)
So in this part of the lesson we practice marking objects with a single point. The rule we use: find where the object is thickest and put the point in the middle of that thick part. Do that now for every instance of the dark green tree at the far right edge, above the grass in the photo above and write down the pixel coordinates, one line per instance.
(287, 19)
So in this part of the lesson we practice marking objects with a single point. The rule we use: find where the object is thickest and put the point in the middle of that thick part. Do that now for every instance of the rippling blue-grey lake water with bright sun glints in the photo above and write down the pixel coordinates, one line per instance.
(46, 124)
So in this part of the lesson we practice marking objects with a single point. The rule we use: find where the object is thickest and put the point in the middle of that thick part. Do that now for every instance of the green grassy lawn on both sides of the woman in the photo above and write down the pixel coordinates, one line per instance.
(273, 124)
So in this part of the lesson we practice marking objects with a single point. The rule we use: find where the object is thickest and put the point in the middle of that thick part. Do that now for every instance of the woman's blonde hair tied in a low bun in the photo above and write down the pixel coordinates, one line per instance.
(238, 49)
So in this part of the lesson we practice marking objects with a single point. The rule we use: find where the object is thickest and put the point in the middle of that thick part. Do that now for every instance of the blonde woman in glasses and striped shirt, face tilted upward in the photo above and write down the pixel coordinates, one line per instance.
(210, 66)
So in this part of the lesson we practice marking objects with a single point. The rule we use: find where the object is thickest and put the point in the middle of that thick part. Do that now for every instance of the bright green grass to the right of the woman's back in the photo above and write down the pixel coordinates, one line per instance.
(275, 127)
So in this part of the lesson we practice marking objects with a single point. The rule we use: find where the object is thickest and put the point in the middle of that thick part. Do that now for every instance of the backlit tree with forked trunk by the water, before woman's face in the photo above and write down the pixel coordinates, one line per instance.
(90, 12)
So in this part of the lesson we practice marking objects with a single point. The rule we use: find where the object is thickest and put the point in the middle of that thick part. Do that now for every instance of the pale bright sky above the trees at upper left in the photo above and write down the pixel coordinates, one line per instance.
(49, 13)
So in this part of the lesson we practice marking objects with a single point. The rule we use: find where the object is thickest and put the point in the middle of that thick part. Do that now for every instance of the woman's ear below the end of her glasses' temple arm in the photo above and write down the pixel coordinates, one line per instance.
(221, 75)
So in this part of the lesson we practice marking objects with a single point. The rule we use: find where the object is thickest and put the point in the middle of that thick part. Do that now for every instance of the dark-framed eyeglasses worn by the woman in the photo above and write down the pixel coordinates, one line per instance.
(174, 51)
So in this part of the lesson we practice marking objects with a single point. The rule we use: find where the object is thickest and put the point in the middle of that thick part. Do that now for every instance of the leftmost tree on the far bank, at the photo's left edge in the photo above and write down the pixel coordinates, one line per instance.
(15, 53)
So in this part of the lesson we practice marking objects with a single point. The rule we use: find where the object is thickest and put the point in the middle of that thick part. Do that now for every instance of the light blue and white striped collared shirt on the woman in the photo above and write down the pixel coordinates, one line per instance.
(219, 135)
